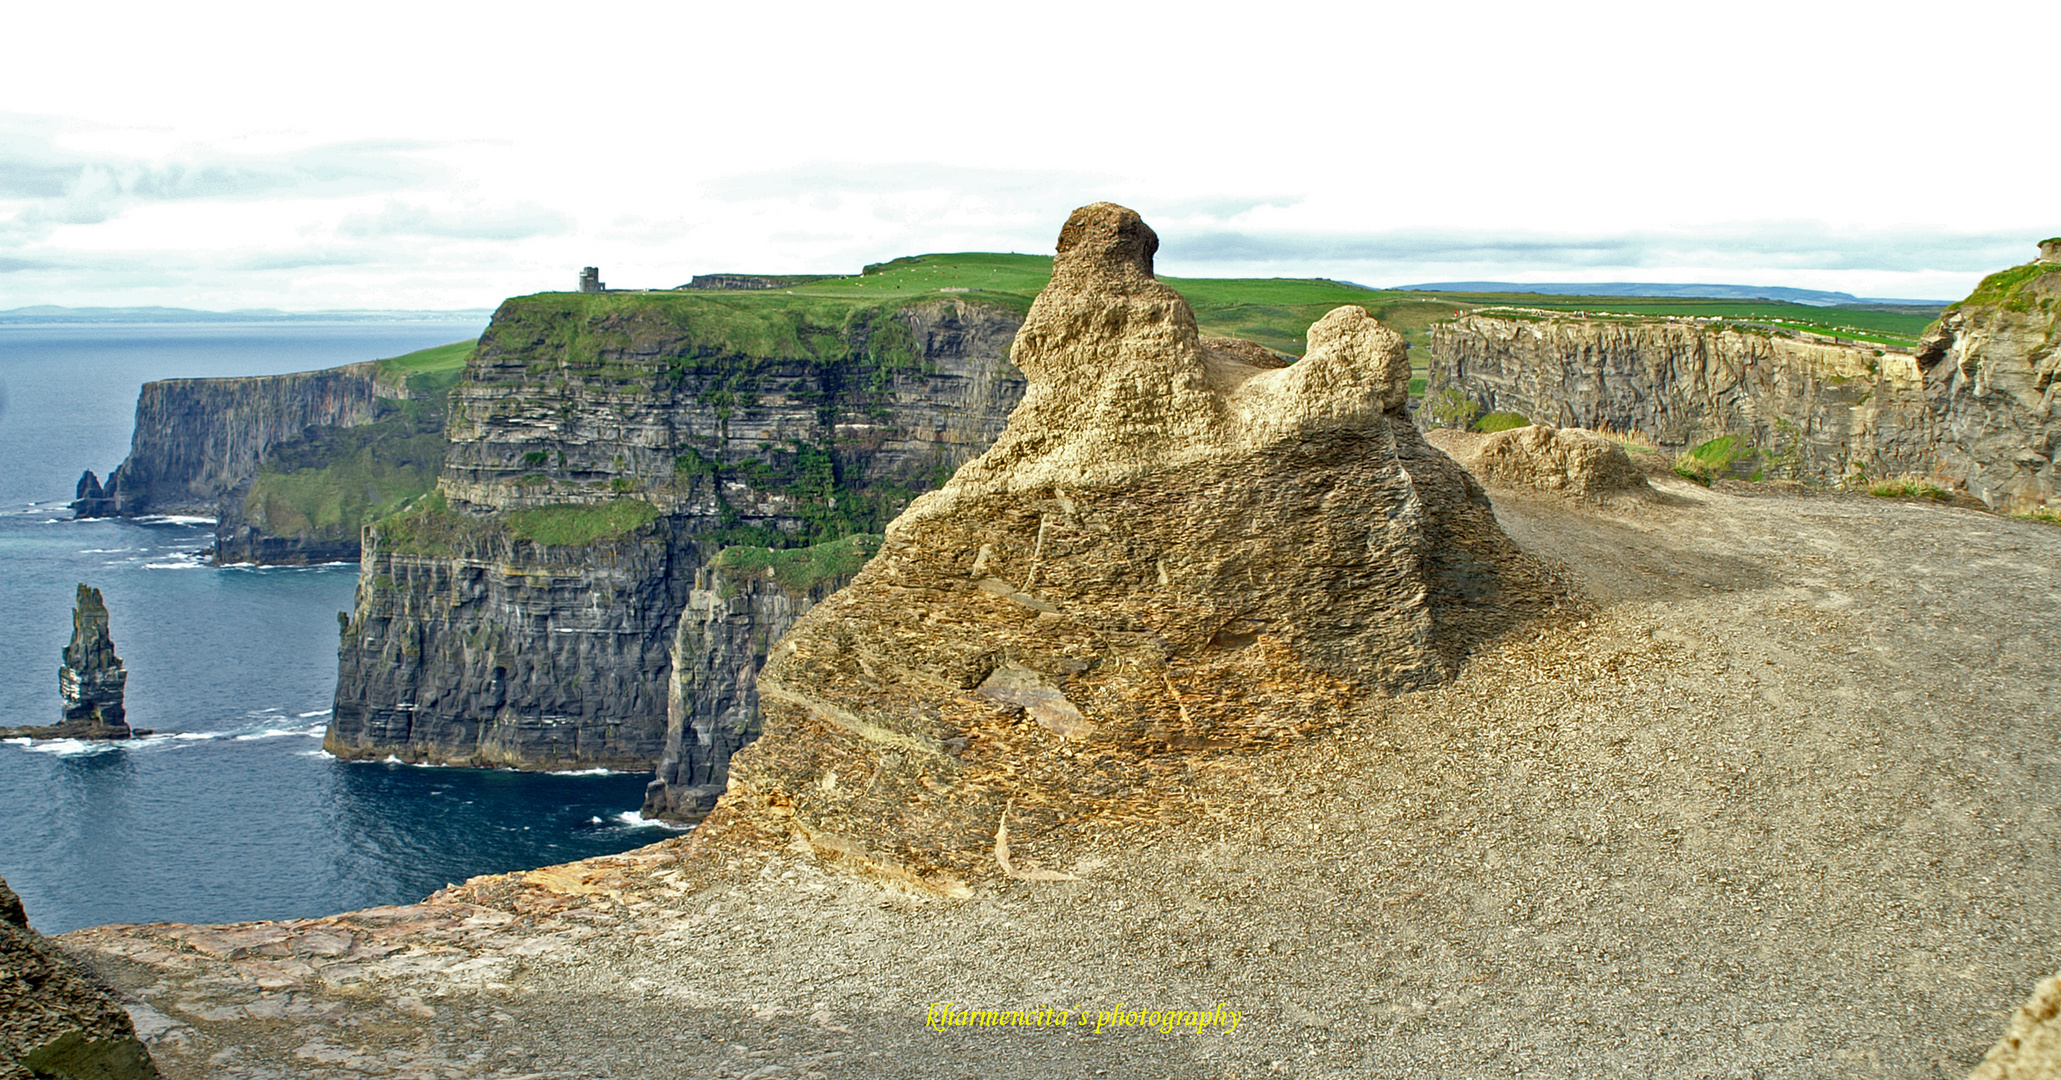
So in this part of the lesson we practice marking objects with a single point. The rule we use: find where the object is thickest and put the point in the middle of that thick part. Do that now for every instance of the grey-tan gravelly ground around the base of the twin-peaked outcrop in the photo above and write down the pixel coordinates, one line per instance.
(1784, 803)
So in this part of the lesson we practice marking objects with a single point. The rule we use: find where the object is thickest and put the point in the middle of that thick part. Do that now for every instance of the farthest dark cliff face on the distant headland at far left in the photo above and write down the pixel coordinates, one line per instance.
(197, 440)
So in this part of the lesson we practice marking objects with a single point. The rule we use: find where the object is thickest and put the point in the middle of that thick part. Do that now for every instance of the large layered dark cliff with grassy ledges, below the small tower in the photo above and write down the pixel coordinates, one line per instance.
(508, 630)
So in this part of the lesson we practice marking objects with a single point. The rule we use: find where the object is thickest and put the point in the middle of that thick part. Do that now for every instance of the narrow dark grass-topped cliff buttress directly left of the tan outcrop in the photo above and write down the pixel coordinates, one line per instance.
(733, 619)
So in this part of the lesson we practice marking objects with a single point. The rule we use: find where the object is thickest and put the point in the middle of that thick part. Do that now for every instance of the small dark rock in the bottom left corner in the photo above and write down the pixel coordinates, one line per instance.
(57, 1023)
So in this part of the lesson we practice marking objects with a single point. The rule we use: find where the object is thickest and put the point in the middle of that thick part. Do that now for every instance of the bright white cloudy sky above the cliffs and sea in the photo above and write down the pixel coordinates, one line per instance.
(450, 156)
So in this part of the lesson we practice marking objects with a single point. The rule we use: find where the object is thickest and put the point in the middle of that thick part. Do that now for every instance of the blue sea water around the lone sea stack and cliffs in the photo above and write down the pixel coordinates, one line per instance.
(238, 815)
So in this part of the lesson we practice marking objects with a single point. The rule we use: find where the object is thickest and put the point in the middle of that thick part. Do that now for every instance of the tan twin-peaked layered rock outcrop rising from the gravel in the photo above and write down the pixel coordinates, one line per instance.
(1170, 551)
